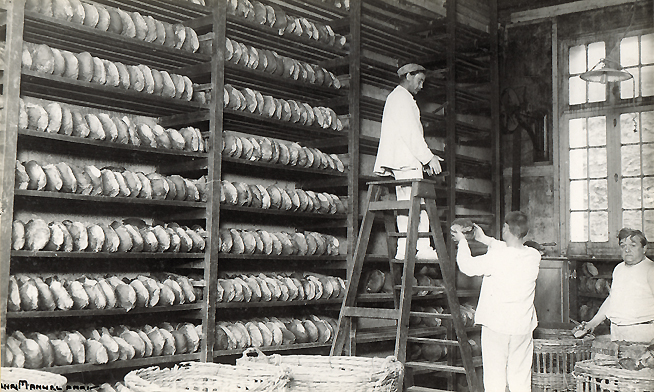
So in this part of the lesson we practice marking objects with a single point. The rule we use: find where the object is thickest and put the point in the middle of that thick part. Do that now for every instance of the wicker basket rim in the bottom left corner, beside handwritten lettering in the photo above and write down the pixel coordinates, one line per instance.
(19, 379)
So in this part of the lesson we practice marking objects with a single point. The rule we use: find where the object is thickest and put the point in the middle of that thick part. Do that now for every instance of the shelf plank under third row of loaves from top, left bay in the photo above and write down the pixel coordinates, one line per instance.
(38, 138)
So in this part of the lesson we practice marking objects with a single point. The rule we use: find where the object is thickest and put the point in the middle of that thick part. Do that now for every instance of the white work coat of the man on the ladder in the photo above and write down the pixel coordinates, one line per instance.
(402, 144)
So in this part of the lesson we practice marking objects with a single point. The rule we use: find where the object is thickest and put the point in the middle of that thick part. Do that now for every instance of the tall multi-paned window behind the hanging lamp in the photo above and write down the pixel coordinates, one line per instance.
(608, 133)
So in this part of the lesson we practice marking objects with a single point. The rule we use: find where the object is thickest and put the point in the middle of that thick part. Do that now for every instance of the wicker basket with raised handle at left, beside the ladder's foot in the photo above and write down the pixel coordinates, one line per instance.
(320, 373)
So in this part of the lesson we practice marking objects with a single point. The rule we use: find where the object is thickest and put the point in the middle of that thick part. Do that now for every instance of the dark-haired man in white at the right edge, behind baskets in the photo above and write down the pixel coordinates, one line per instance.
(630, 304)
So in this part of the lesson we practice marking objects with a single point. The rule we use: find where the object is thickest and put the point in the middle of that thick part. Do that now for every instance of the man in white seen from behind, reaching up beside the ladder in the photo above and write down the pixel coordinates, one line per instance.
(506, 309)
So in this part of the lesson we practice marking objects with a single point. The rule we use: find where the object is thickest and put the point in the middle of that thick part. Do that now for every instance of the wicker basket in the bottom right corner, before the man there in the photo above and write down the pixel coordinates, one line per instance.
(593, 377)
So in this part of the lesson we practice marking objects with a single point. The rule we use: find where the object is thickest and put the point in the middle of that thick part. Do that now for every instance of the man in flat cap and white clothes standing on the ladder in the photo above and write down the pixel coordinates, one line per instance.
(403, 152)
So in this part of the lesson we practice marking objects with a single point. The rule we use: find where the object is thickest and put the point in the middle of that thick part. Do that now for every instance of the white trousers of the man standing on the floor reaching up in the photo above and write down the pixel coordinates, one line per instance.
(506, 360)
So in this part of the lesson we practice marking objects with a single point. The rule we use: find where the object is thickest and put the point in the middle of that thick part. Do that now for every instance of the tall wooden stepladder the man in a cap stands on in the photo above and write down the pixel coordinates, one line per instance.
(456, 336)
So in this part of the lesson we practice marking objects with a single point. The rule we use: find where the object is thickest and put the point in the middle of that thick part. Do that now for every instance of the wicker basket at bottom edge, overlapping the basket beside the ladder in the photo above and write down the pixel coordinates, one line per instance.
(207, 377)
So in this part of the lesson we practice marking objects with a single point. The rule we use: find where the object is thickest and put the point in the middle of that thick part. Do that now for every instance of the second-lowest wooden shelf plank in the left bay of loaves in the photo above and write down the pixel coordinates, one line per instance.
(101, 312)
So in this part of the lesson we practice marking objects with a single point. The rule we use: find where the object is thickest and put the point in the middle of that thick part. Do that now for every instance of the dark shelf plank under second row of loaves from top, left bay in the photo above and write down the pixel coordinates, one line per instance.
(103, 97)
